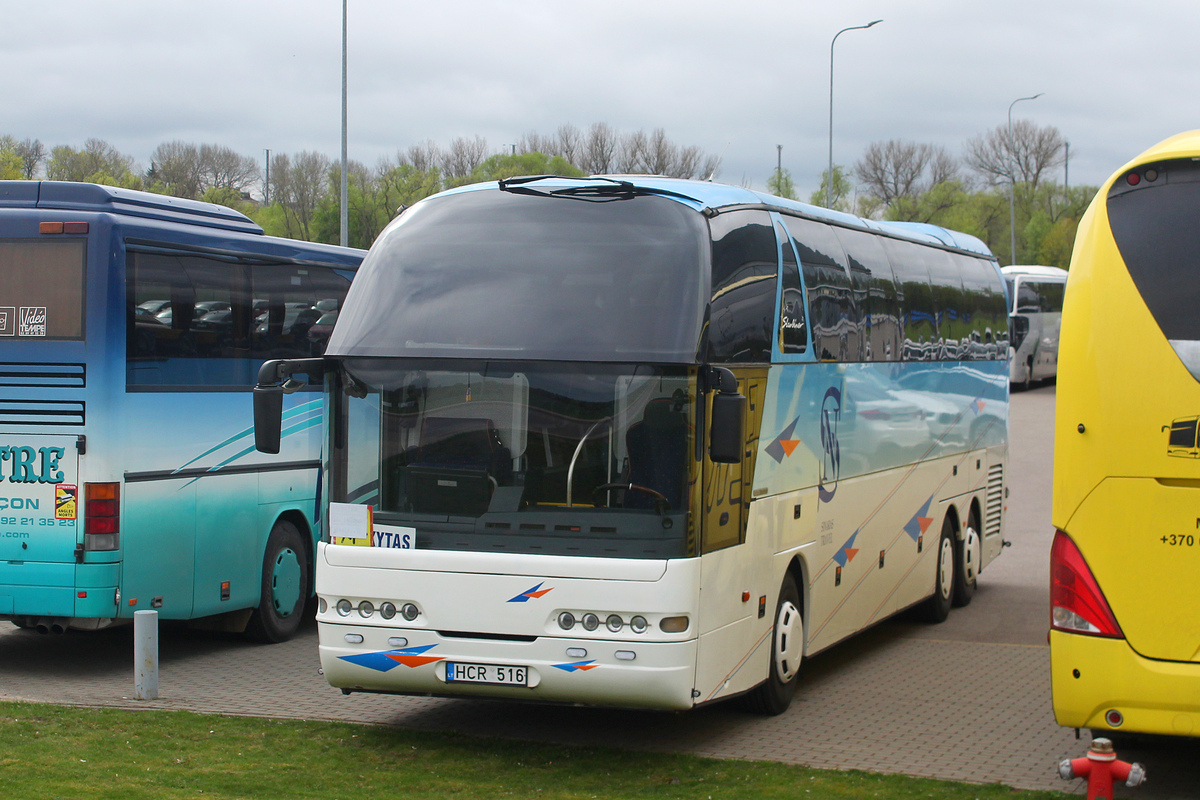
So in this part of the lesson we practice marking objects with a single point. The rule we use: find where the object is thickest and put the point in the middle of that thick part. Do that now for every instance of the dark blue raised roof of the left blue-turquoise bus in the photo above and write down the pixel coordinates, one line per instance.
(112, 200)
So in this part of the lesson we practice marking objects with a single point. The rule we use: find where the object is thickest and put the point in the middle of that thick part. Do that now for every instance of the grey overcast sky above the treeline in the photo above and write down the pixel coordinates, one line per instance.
(735, 79)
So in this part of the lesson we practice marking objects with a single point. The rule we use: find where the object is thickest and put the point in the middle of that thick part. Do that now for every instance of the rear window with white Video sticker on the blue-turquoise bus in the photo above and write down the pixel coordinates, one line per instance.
(43, 290)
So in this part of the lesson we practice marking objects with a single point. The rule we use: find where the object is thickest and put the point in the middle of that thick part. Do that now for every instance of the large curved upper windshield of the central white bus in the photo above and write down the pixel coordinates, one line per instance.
(490, 274)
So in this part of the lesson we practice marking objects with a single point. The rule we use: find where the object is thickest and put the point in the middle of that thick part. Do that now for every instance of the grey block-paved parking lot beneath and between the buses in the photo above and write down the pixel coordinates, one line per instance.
(968, 700)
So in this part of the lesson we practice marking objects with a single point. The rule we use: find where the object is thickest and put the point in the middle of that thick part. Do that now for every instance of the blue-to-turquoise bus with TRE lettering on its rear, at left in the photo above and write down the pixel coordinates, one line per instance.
(133, 327)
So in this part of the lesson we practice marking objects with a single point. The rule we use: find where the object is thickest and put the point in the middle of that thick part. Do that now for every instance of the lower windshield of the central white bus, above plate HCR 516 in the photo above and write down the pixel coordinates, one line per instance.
(550, 459)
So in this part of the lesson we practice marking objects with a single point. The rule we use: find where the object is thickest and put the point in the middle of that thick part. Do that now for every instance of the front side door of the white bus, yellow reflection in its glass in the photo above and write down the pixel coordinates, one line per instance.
(734, 573)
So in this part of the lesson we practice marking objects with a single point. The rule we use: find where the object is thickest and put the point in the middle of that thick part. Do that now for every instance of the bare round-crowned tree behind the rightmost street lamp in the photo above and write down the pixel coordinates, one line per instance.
(1019, 155)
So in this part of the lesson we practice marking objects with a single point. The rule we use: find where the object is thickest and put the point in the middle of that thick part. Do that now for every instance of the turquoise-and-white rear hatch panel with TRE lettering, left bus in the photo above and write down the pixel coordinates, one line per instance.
(40, 507)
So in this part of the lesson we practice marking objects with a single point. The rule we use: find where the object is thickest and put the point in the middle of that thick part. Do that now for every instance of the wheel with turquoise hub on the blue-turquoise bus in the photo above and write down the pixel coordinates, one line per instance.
(285, 587)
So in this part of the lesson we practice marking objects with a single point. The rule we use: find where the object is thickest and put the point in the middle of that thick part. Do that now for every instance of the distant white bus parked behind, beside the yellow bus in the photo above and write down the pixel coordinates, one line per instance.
(1035, 317)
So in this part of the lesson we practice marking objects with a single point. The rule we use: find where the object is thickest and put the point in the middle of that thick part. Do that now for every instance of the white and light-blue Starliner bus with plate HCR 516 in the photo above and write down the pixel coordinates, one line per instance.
(649, 443)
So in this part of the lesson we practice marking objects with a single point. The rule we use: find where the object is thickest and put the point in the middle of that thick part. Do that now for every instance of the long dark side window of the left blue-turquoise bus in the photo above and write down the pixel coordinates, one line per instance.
(196, 320)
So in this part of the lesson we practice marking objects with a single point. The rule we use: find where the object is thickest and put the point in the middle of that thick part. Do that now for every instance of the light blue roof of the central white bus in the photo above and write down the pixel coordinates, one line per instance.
(707, 196)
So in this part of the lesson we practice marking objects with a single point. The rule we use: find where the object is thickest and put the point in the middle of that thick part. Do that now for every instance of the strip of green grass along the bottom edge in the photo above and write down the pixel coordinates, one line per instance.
(50, 753)
